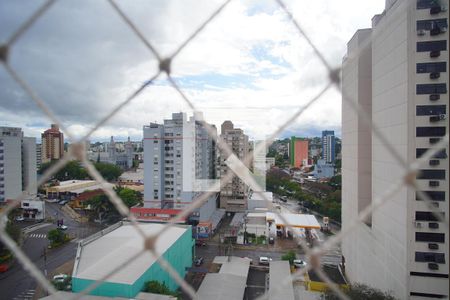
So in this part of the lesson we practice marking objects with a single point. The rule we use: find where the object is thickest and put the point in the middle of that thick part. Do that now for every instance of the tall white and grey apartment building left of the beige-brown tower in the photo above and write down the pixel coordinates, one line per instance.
(176, 153)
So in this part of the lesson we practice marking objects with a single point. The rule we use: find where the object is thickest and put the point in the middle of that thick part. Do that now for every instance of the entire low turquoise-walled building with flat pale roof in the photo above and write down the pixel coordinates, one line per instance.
(113, 247)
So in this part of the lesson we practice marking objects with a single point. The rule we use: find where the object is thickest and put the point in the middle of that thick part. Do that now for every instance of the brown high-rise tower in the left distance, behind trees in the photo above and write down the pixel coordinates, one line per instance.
(52, 144)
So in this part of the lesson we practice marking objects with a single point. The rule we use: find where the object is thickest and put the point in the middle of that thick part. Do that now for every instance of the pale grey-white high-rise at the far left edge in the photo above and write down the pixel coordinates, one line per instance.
(17, 163)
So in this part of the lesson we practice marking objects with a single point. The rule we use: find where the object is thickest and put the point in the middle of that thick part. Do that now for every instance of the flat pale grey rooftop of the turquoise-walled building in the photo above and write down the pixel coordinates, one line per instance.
(99, 256)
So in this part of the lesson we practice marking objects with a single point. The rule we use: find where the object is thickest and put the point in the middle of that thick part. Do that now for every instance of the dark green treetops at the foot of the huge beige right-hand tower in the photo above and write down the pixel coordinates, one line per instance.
(360, 291)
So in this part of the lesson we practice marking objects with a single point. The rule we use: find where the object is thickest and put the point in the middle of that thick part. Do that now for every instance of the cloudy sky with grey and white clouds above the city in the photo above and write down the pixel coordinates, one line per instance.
(249, 65)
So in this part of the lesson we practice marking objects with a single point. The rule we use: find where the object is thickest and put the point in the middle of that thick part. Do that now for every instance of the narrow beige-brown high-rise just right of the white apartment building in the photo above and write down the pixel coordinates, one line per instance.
(234, 194)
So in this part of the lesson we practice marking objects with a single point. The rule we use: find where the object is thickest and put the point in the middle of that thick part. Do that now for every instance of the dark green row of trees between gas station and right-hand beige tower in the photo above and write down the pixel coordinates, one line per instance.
(280, 183)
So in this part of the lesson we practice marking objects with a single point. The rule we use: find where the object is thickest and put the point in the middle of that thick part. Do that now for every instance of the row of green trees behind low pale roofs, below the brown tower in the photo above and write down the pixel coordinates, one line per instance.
(75, 170)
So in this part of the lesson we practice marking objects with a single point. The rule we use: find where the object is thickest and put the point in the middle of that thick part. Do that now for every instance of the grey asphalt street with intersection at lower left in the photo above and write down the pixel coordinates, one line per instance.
(16, 283)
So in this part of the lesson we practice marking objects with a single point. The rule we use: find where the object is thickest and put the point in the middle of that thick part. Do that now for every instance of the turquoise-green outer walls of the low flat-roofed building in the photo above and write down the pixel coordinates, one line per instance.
(179, 256)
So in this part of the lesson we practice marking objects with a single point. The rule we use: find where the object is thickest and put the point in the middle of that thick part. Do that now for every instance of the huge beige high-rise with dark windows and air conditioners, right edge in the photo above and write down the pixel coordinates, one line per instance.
(397, 73)
